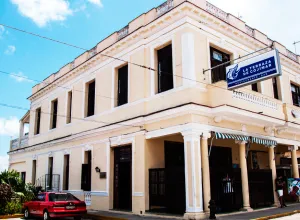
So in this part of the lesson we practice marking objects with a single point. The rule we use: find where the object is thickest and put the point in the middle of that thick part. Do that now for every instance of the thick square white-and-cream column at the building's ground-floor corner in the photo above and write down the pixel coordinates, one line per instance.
(193, 175)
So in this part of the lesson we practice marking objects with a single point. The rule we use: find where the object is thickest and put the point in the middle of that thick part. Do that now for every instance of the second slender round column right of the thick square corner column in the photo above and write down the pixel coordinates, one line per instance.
(244, 175)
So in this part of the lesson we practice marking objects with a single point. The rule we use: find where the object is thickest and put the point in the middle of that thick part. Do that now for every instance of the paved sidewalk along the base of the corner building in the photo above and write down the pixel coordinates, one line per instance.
(105, 215)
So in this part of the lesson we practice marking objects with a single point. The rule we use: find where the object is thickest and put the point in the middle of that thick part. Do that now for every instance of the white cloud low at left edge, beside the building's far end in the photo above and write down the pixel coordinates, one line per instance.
(9, 127)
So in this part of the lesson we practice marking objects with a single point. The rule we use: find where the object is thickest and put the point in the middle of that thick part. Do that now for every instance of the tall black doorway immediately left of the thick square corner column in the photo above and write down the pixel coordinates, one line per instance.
(175, 177)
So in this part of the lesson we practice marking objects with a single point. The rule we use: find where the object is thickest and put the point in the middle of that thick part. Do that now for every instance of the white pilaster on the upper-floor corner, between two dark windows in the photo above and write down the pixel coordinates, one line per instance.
(188, 59)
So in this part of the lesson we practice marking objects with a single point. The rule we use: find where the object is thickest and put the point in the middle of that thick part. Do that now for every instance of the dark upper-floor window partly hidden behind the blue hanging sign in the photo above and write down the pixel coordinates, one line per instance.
(218, 57)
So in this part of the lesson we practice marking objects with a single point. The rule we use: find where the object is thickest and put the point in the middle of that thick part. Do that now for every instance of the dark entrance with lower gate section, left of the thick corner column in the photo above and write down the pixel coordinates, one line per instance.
(167, 185)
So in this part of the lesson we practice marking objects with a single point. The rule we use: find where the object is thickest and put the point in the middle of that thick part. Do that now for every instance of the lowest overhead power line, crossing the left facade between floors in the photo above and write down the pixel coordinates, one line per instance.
(64, 116)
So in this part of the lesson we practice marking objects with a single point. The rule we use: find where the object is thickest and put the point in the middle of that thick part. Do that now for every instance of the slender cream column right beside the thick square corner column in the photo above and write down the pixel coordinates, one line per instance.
(205, 170)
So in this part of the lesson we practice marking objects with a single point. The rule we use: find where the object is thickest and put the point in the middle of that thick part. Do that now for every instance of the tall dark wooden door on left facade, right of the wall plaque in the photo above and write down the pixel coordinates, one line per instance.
(122, 178)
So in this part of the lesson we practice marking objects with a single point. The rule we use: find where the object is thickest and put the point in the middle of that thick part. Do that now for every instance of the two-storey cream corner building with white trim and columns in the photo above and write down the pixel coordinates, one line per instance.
(164, 137)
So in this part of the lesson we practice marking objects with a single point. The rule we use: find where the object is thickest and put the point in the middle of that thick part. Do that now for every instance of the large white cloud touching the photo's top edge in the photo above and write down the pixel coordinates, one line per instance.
(44, 11)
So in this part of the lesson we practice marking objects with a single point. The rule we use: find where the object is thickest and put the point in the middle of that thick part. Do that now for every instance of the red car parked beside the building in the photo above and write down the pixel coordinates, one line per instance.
(54, 205)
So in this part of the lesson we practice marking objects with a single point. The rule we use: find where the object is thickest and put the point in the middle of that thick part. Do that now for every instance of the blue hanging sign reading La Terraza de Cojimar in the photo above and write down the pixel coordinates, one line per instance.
(254, 69)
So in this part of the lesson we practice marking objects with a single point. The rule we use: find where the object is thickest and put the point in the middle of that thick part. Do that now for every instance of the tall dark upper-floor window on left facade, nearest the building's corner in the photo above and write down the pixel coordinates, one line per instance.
(165, 69)
